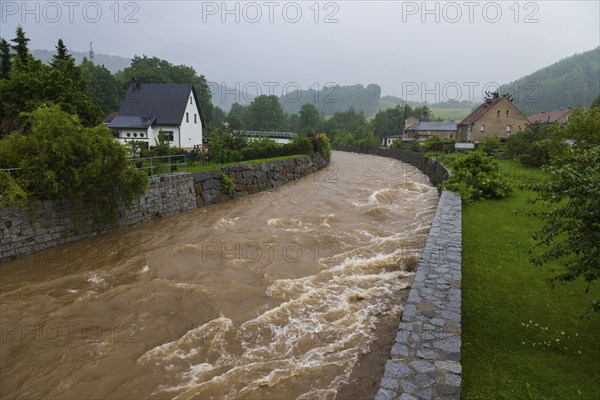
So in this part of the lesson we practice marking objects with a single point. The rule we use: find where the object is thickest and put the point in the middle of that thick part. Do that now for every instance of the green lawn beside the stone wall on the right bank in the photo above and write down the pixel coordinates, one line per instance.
(521, 339)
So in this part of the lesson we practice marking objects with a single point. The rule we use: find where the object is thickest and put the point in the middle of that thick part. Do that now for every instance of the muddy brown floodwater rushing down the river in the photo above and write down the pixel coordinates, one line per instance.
(273, 296)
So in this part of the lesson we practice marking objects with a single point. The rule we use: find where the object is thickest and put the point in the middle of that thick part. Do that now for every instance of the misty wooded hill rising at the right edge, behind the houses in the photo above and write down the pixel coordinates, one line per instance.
(570, 82)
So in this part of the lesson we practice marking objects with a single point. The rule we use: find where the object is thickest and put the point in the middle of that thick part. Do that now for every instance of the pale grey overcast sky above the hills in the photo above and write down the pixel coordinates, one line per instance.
(406, 47)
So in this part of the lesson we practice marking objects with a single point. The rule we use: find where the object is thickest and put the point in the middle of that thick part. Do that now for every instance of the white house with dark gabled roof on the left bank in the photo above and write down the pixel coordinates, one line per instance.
(149, 108)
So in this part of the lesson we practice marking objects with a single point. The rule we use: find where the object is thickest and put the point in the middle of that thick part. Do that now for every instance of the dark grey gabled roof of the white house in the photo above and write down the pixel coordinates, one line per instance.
(160, 103)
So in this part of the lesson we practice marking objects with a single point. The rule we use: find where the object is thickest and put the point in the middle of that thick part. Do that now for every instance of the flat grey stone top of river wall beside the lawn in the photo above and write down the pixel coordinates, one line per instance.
(425, 358)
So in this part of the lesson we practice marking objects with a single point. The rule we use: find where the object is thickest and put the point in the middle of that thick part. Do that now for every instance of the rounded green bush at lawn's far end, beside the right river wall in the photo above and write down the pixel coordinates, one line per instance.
(477, 177)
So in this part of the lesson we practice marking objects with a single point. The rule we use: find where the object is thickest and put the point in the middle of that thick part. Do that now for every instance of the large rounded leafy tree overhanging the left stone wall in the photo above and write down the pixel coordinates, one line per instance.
(63, 160)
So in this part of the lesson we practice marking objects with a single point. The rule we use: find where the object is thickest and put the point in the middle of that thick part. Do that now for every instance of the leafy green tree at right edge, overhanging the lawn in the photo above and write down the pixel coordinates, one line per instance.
(570, 202)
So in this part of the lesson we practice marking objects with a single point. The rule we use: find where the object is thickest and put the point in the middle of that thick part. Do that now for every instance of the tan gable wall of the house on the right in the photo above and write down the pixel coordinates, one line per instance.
(495, 124)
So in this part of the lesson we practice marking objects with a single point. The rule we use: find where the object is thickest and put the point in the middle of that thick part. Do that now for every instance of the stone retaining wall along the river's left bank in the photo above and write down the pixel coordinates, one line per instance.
(52, 224)
